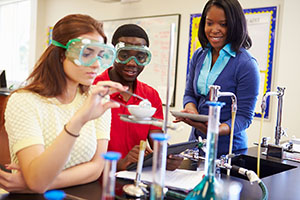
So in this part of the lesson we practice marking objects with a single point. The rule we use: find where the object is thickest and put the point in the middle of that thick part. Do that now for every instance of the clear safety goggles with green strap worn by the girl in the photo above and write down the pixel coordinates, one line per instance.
(84, 51)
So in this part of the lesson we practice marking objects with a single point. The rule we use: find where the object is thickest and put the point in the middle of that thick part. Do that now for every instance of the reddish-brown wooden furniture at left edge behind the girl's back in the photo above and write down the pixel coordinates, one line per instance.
(4, 150)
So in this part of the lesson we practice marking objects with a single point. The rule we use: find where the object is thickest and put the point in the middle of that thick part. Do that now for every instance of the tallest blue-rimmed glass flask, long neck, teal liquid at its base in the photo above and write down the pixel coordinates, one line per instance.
(206, 189)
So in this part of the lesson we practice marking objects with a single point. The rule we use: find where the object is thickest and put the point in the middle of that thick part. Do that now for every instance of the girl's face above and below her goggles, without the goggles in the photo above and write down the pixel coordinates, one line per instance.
(78, 74)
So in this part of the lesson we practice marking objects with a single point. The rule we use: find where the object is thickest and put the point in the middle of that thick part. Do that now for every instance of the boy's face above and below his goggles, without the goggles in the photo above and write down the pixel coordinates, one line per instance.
(127, 73)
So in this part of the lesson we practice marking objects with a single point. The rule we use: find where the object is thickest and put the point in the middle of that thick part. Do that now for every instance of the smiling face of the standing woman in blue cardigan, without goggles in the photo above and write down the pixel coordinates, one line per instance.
(216, 27)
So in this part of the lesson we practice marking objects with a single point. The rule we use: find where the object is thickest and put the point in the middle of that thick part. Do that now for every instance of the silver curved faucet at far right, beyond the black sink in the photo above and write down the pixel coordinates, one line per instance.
(278, 129)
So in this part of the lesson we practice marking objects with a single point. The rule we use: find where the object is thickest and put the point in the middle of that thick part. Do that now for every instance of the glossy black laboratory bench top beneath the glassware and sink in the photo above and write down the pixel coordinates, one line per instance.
(283, 185)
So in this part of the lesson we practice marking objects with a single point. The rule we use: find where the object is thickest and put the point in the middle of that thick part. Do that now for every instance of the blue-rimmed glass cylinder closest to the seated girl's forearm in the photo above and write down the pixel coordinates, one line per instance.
(109, 179)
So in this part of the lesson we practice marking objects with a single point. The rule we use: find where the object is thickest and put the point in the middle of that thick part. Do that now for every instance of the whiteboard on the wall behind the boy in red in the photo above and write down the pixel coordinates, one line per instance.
(158, 30)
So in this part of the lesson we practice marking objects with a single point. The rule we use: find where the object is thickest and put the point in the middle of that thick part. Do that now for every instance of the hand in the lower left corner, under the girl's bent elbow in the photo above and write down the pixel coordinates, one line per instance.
(13, 182)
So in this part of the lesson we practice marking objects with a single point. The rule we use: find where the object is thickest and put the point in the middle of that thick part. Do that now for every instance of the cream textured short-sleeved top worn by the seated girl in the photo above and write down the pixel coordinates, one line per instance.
(31, 119)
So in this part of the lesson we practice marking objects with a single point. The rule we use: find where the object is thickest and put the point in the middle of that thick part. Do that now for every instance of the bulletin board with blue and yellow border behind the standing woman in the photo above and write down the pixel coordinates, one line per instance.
(261, 27)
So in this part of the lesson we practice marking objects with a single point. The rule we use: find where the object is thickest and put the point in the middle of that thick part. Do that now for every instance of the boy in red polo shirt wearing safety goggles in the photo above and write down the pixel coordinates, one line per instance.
(131, 43)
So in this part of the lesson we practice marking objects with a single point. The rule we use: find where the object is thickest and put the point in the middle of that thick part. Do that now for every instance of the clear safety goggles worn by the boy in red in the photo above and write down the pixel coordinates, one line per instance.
(125, 52)
